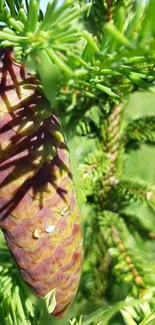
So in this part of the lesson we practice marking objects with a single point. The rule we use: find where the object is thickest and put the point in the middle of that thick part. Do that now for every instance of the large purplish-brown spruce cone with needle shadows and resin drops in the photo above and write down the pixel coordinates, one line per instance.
(38, 209)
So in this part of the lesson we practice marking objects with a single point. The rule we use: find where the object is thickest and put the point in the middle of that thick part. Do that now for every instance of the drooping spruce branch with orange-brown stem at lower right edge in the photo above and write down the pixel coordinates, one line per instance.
(128, 263)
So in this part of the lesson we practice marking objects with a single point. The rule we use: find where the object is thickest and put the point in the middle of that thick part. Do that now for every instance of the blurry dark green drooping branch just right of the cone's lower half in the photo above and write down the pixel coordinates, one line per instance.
(95, 270)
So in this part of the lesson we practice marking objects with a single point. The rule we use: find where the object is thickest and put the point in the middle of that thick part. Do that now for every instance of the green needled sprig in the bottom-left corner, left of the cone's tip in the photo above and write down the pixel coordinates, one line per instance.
(15, 304)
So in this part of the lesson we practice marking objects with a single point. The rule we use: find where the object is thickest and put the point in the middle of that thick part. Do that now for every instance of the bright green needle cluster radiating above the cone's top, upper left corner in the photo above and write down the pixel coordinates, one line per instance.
(55, 29)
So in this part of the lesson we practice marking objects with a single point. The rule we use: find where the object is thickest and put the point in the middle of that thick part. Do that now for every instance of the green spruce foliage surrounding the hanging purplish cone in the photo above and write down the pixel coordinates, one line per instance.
(90, 56)
